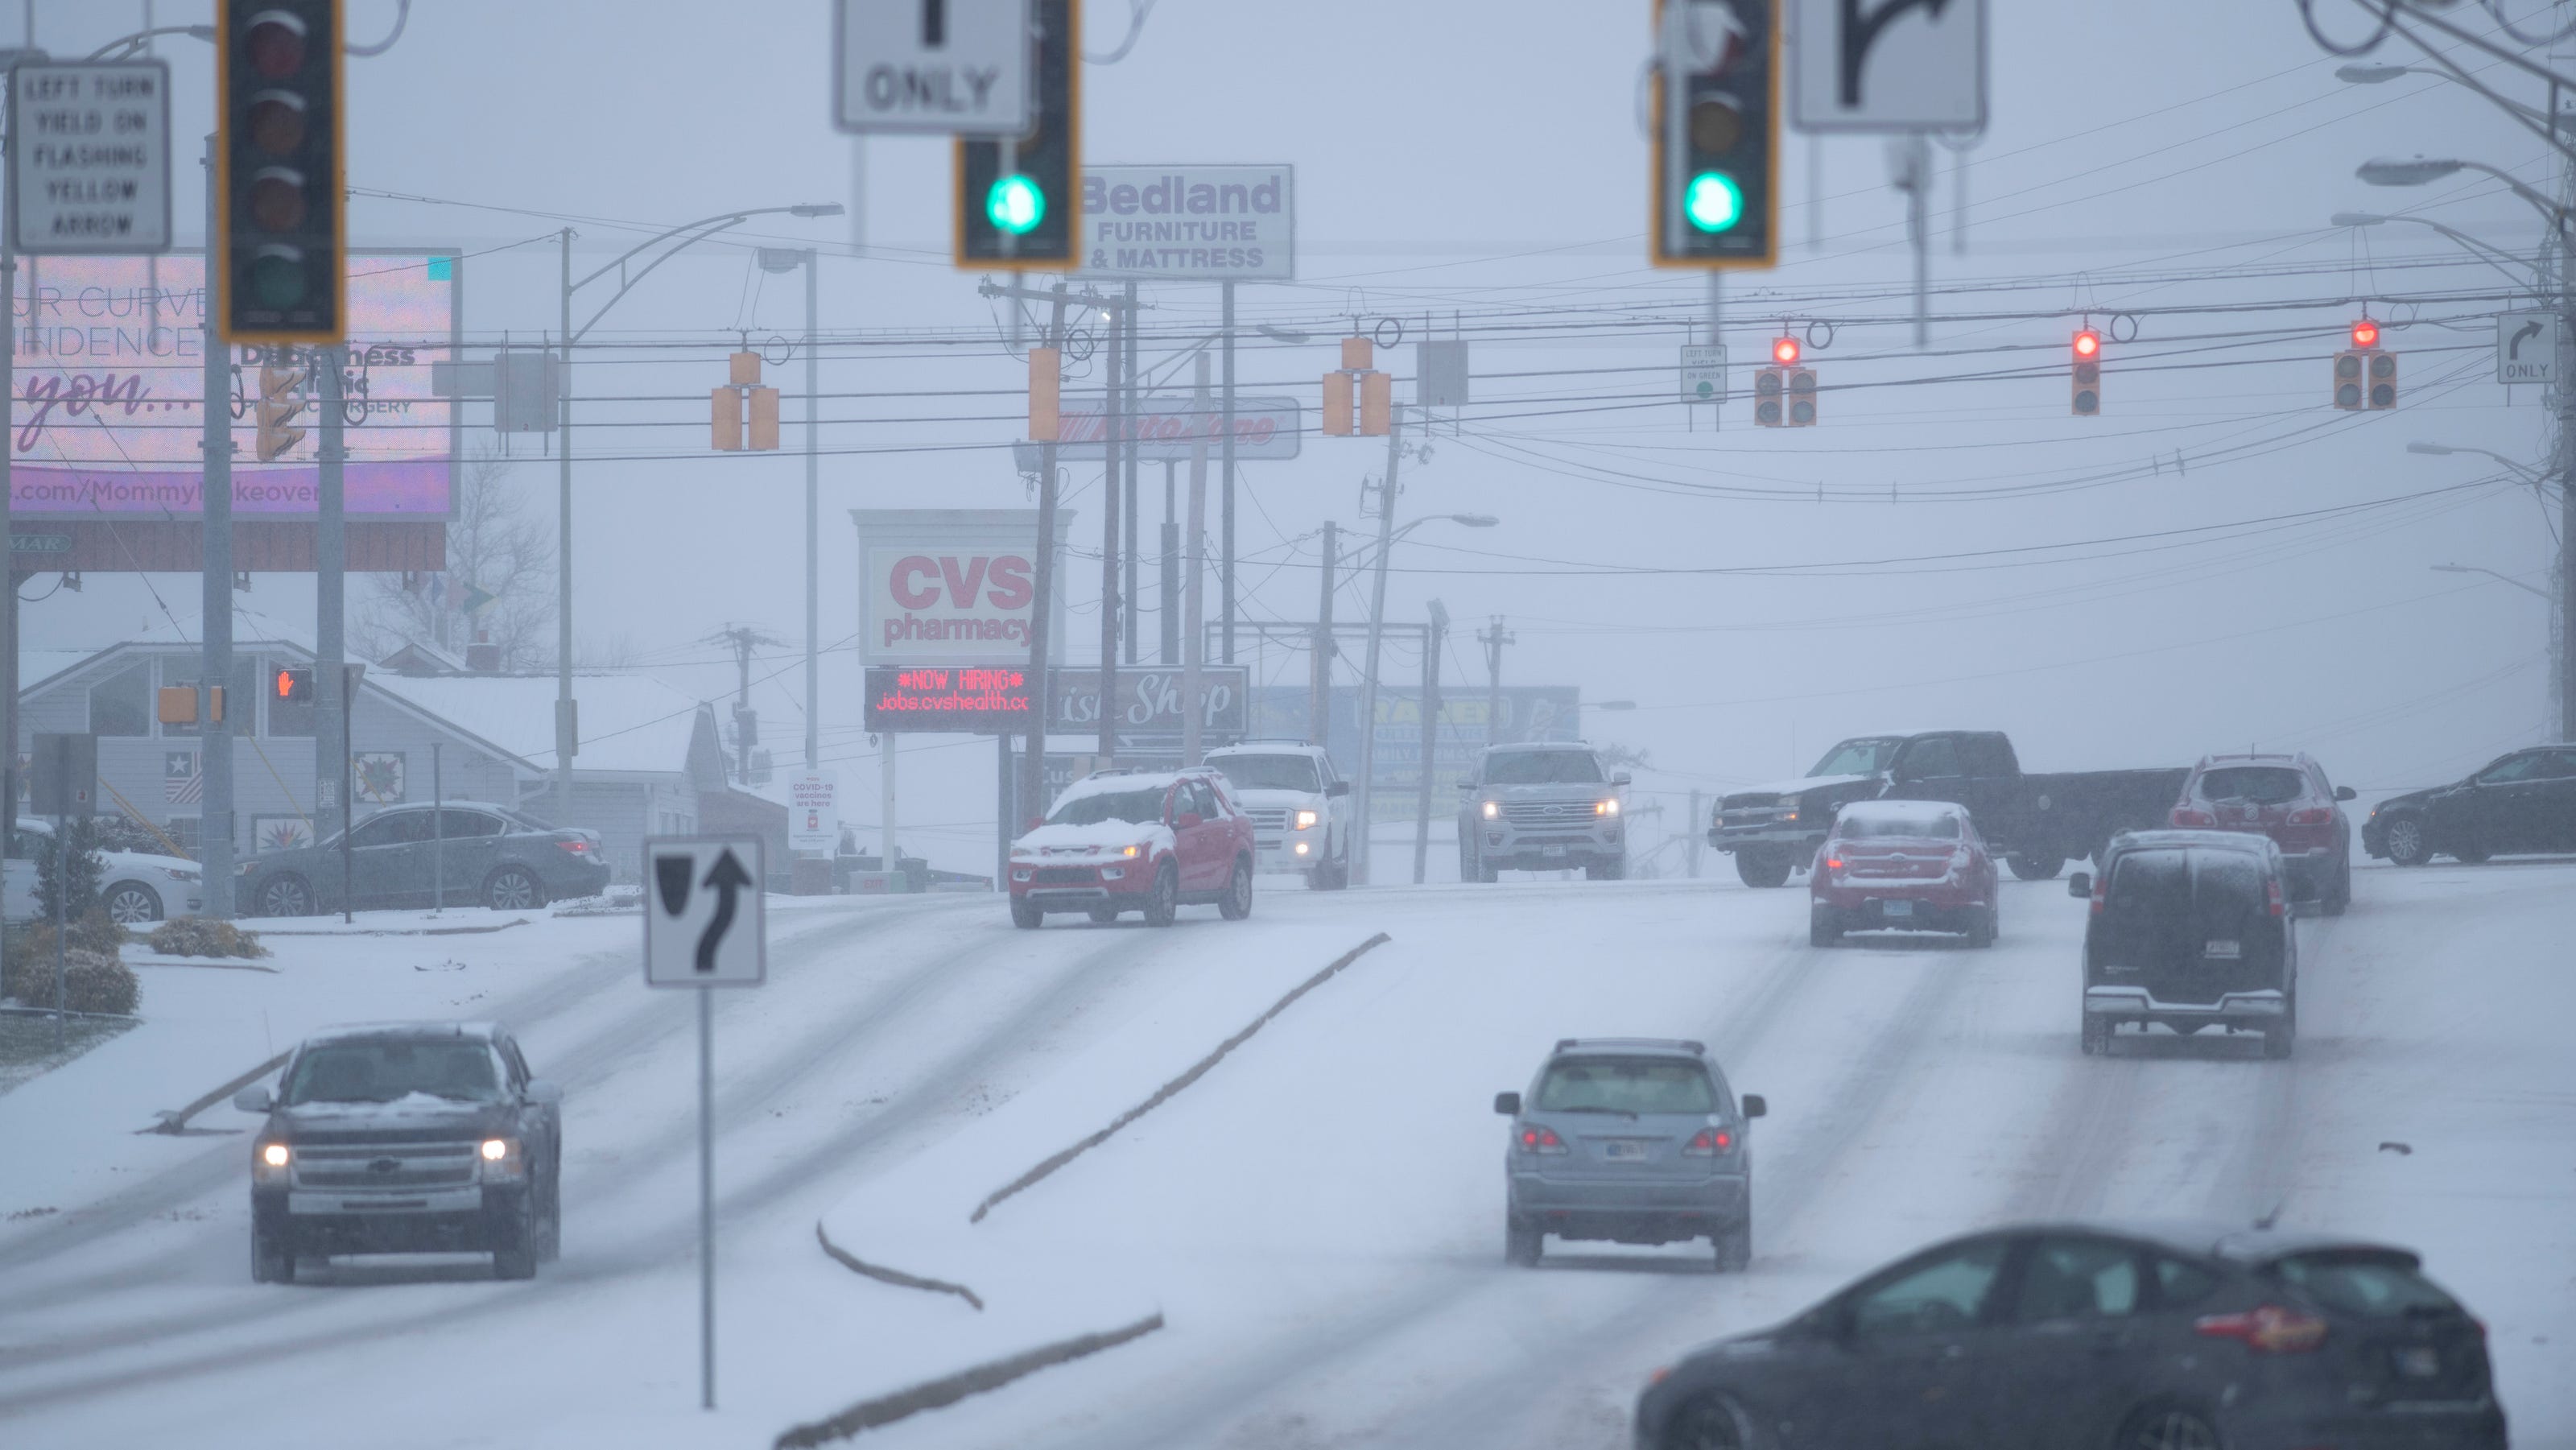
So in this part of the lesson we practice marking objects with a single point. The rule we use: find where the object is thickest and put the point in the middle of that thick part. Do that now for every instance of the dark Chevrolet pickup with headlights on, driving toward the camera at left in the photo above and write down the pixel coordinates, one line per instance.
(406, 1137)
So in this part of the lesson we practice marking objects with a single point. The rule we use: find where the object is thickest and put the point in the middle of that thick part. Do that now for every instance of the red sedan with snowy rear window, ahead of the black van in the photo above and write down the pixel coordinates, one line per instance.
(1905, 867)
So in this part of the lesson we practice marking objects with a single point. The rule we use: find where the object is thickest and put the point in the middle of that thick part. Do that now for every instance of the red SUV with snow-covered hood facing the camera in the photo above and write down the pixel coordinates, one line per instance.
(1130, 841)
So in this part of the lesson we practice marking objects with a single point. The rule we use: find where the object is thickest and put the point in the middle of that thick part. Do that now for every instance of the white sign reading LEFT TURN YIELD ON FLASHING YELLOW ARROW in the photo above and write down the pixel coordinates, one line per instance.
(89, 158)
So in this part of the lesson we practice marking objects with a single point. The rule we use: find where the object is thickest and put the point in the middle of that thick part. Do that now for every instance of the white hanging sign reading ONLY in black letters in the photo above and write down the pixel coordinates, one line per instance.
(934, 66)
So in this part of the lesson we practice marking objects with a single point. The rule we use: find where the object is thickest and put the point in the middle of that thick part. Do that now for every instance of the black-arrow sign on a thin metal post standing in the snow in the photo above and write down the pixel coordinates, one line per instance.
(705, 928)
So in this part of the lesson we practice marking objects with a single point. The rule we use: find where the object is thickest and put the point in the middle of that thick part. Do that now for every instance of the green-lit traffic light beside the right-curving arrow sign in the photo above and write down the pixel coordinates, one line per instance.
(1717, 135)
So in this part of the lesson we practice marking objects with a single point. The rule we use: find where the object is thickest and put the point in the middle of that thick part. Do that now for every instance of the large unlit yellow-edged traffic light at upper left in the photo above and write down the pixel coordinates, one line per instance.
(279, 194)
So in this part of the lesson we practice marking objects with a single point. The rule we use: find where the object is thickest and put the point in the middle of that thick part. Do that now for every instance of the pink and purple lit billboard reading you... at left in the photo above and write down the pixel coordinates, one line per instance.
(109, 411)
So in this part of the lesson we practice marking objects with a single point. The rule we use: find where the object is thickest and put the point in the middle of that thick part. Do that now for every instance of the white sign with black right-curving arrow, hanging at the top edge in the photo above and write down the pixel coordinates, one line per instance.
(1889, 66)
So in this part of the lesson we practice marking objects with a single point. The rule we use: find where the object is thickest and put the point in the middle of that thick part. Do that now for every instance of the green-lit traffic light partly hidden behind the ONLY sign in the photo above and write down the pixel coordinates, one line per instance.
(1029, 215)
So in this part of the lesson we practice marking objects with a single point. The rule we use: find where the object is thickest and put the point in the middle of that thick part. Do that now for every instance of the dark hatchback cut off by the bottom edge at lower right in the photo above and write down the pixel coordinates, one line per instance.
(2067, 1335)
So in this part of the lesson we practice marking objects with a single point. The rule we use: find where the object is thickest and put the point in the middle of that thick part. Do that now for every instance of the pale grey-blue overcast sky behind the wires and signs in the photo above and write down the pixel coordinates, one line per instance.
(1482, 161)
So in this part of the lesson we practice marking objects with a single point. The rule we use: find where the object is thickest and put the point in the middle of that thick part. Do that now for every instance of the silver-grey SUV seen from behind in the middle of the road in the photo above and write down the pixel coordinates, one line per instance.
(1632, 1140)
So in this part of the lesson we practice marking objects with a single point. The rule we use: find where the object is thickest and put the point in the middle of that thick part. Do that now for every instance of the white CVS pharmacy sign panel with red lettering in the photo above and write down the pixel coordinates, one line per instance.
(952, 586)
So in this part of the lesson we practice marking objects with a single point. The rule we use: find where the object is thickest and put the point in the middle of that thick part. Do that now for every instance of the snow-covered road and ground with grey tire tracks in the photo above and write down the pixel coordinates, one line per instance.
(1318, 1217)
